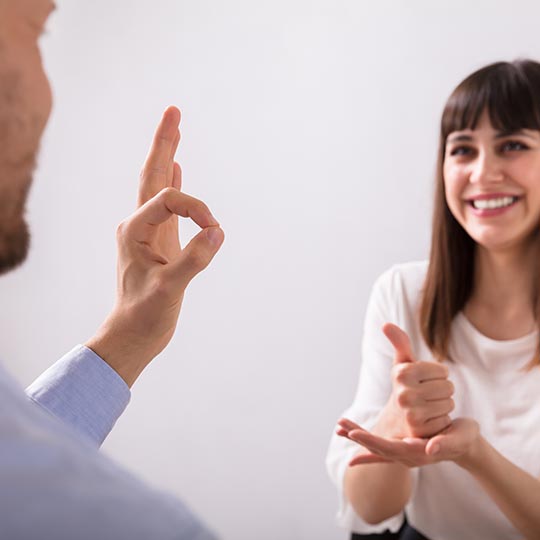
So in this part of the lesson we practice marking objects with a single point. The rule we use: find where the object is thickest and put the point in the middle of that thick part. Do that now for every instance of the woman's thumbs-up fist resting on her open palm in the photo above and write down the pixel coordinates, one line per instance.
(421, 398)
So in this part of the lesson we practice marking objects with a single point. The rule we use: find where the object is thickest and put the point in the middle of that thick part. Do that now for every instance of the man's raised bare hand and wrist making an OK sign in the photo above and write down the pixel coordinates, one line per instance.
(153, 269)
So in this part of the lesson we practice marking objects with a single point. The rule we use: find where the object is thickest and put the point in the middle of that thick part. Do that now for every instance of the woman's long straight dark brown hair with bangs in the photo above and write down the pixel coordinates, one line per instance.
(510, 93)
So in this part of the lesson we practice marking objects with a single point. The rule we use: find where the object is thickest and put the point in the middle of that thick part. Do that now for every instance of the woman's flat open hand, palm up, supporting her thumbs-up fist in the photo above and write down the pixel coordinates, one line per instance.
(455, 443)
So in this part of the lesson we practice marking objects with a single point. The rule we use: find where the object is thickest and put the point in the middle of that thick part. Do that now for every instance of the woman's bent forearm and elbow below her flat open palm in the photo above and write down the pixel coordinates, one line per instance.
(378, 491)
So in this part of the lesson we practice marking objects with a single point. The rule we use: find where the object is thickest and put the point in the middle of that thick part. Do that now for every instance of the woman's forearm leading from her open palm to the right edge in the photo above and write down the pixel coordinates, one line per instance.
(516, 492)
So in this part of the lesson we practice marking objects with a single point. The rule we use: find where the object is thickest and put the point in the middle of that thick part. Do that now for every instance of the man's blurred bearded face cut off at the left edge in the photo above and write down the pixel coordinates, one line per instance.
(25, 104)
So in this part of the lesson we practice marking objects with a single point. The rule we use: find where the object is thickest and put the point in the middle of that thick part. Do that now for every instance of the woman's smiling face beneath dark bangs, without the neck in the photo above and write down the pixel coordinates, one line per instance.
(492, 183)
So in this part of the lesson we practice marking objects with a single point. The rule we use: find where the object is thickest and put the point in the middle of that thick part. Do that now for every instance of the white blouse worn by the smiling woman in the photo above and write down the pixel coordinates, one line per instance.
(490, 386)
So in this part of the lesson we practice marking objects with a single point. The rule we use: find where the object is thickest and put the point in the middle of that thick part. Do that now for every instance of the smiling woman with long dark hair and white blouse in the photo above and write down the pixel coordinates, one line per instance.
(446, 420)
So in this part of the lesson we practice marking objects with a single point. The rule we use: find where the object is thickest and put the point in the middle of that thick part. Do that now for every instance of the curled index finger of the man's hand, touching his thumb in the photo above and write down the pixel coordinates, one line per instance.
(168, 202)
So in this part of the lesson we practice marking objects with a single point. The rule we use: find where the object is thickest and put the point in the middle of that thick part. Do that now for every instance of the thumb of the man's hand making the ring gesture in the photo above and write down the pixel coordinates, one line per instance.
(196, 256)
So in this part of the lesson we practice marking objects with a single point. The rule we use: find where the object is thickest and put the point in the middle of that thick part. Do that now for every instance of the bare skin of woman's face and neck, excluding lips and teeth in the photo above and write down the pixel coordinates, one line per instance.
(483, 162)
